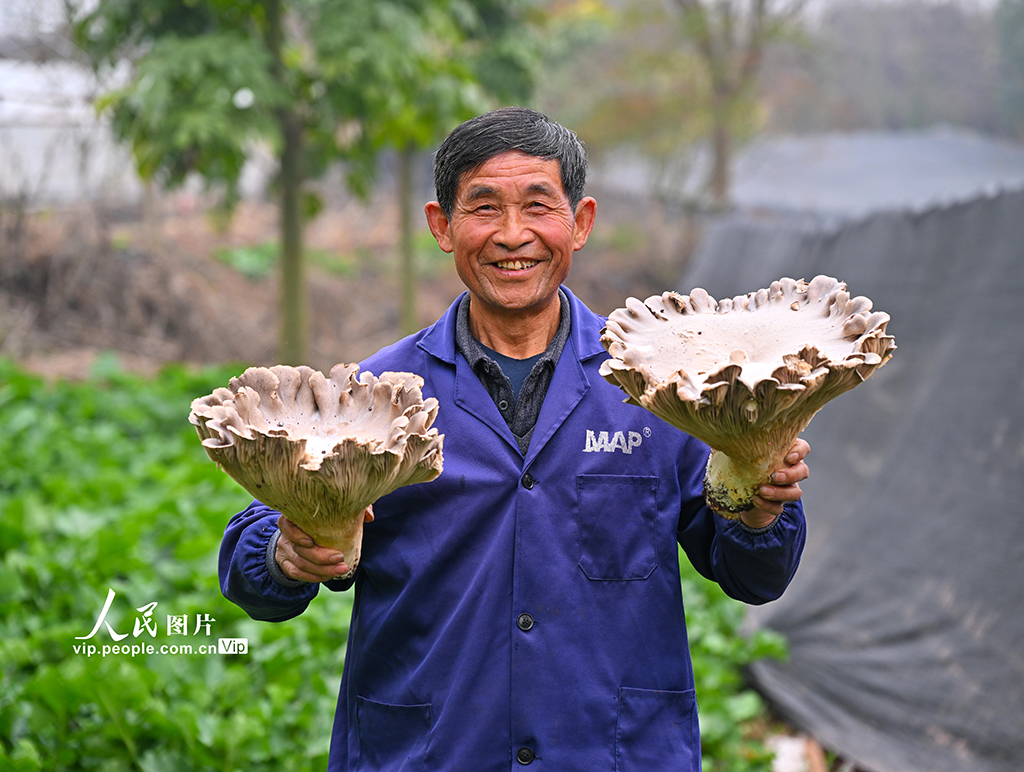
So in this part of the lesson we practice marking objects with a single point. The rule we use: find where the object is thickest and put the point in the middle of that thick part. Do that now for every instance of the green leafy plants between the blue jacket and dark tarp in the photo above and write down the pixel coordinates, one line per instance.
(730, 711)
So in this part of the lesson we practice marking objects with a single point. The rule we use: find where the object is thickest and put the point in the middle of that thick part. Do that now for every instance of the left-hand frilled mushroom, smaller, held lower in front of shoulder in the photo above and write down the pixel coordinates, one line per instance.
(321, 450)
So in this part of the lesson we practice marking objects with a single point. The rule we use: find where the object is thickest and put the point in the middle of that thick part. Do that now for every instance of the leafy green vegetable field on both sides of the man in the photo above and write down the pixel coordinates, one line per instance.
(118, 651)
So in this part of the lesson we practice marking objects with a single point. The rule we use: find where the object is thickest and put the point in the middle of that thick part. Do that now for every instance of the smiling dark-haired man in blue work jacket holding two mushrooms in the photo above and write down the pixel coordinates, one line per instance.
(526, 608)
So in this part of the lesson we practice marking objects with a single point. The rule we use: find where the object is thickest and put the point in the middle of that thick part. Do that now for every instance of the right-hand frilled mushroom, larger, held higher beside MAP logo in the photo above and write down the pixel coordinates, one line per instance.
(745, 375)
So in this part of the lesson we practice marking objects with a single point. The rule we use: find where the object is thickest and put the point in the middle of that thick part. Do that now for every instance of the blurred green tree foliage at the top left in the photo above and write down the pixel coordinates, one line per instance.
(211, 78)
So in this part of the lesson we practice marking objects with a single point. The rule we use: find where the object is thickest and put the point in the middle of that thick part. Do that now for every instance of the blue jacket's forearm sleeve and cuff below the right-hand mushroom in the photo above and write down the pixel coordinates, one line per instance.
(754, 566)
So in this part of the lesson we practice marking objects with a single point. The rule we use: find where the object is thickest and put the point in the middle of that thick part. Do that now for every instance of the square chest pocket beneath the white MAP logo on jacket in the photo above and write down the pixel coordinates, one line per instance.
(618, 516)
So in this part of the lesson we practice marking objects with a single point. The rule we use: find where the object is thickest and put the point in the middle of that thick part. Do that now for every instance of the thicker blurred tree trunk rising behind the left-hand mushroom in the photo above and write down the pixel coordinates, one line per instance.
(292, 331)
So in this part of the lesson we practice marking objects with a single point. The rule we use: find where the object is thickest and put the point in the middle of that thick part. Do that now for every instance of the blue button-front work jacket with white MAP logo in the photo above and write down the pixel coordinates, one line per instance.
(528, 611)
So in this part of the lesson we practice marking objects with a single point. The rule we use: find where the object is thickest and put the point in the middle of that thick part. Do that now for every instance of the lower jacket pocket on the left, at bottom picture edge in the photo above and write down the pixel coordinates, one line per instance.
(393, 738)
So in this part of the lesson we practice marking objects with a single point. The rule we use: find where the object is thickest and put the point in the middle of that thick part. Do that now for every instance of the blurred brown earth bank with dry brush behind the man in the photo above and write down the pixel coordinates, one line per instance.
(80, 282)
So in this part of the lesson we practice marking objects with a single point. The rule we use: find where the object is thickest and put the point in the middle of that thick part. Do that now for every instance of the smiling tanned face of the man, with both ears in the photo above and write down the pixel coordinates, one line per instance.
(513, 232)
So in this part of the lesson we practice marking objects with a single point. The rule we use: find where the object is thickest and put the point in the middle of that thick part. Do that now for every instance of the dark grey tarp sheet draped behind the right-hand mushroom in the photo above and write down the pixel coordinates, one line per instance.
(906, 622)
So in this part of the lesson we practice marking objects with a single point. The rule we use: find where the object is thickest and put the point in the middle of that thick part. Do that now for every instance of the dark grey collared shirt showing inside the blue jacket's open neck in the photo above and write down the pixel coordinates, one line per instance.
(521, 413)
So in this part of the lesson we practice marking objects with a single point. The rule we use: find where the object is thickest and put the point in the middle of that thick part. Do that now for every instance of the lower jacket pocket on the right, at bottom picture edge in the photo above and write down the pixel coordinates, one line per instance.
(657, 731)
